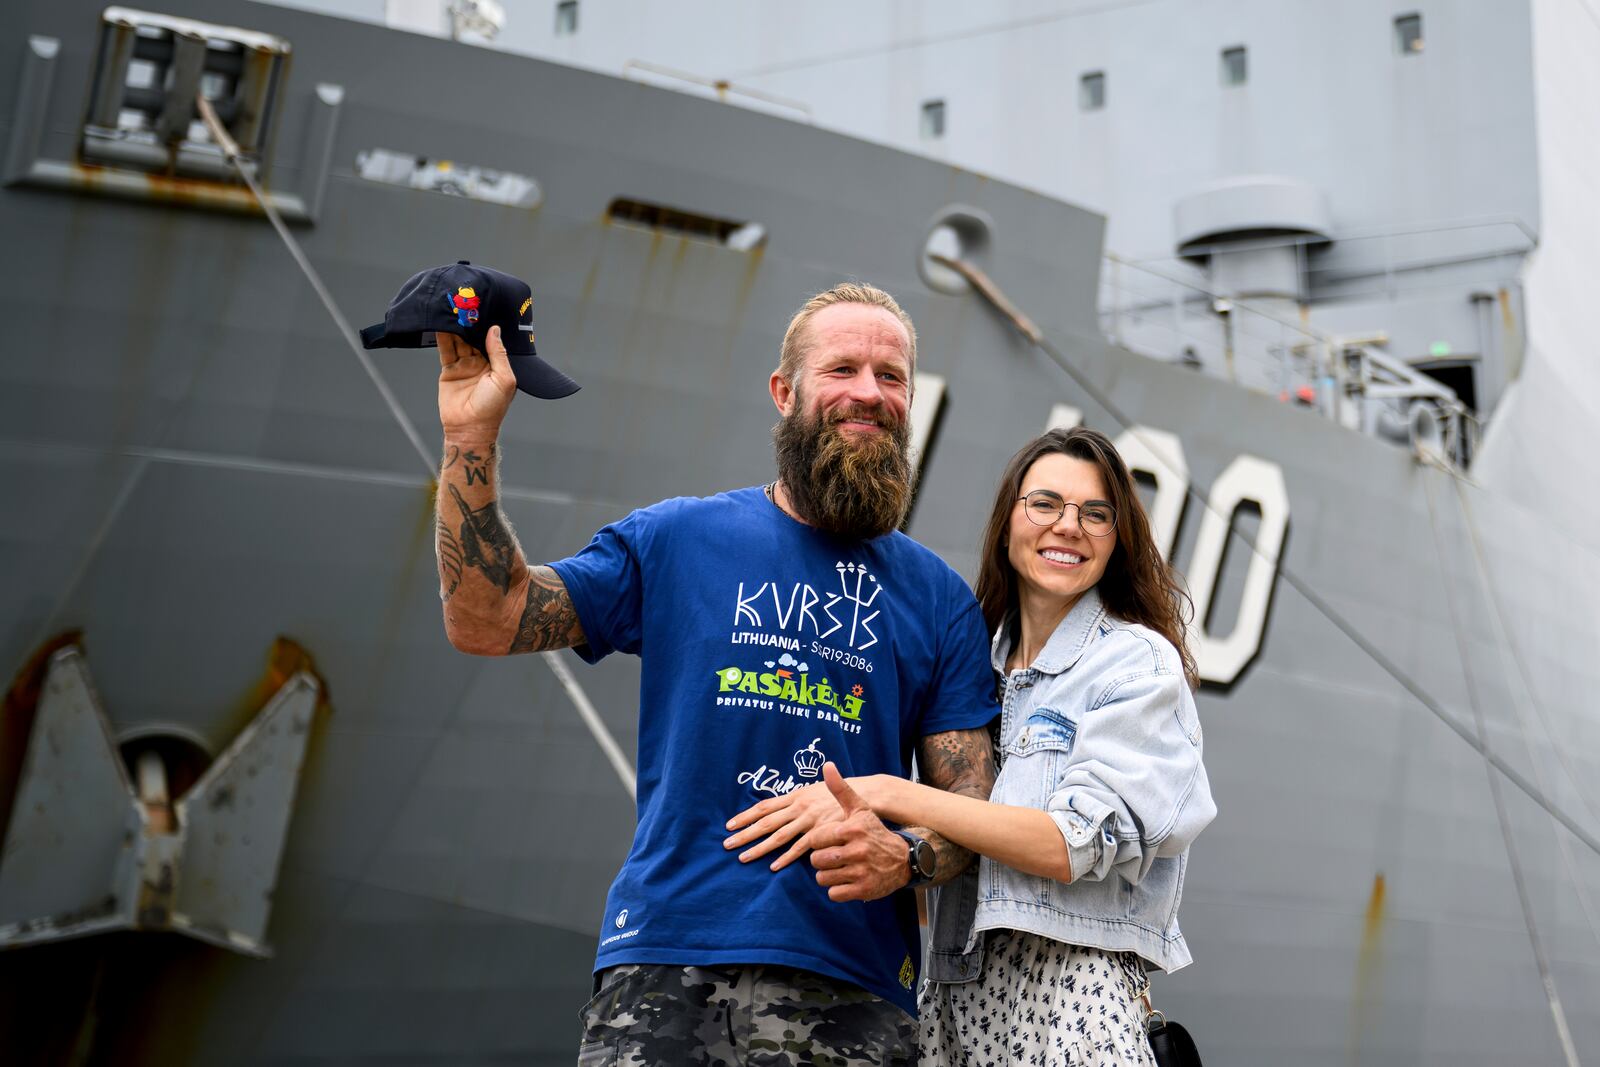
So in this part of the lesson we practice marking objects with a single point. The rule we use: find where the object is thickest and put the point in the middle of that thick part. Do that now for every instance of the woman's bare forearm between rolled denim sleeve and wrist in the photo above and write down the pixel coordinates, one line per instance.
(1025, 839)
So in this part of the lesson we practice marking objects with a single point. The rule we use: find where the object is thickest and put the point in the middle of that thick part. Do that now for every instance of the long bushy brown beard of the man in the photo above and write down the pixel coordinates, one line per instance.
(850, 484)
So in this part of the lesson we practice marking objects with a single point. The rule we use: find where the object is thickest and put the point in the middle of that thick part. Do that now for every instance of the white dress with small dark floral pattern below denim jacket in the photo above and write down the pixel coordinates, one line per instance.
(1039, 1002)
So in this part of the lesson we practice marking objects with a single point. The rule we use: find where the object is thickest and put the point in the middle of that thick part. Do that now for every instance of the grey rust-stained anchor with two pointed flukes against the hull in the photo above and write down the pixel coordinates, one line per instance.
(89, 853)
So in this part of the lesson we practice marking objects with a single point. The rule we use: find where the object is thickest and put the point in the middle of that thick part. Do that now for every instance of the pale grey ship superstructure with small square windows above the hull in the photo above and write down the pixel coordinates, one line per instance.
(1337, 204)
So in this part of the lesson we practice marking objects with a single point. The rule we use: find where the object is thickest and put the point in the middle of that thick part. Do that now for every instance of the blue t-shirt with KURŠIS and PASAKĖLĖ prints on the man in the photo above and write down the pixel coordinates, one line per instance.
(769, 647)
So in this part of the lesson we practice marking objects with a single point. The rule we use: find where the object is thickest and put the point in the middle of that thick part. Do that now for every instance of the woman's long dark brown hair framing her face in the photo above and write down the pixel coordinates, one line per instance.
(1138, 586)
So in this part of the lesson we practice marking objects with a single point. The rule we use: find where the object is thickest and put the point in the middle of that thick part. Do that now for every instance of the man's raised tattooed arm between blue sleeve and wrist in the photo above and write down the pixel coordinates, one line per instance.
(495, 604)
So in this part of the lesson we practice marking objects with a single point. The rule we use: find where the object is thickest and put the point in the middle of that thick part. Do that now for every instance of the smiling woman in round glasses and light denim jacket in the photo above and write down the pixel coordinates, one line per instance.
(1102, 788)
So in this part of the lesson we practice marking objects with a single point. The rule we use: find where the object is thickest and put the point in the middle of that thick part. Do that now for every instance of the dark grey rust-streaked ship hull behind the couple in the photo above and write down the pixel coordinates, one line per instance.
(199, 468)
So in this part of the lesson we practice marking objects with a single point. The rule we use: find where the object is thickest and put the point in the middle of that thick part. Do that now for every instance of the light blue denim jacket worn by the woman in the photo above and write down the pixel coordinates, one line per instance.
(1100, 732)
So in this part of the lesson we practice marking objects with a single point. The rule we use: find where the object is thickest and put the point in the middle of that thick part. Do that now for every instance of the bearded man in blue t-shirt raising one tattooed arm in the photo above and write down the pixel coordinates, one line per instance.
(780, 628)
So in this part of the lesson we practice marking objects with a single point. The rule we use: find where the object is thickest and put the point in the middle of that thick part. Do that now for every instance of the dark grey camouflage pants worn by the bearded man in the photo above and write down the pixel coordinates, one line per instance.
(740, 1017)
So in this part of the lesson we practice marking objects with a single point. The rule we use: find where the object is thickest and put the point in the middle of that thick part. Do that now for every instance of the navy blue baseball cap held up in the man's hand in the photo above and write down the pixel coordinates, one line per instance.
(466, 302)
